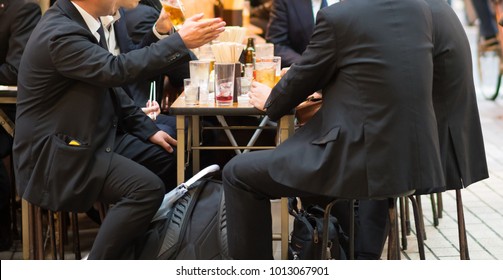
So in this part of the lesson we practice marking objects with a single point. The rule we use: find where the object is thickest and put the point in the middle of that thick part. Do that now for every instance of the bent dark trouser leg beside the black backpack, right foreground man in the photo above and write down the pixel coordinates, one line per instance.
(248, 190)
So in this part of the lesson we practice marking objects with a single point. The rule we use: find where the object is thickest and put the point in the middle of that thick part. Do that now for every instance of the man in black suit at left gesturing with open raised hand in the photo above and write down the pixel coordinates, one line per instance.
(69, 108)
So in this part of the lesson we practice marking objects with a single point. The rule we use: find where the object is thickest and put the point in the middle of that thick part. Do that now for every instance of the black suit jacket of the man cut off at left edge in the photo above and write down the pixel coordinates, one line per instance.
(17, 20)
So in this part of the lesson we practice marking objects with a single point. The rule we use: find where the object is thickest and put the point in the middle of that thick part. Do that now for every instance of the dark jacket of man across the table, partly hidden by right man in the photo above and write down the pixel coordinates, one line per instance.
(290, 27)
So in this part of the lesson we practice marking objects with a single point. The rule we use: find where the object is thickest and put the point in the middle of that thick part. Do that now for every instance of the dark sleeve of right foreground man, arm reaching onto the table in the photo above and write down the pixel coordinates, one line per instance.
(317, 67)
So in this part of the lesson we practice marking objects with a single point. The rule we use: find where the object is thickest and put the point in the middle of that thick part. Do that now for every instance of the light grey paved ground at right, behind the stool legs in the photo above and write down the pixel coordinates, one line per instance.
(483, 201)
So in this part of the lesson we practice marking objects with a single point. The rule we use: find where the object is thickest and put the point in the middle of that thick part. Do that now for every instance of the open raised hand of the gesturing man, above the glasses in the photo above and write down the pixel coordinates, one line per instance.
(196, 32)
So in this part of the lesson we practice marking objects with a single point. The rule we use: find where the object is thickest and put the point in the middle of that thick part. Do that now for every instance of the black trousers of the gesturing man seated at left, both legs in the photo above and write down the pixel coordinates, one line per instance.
(140, 174)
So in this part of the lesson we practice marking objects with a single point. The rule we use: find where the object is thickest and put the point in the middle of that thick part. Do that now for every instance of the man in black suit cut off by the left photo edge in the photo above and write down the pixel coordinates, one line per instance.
(17, 20)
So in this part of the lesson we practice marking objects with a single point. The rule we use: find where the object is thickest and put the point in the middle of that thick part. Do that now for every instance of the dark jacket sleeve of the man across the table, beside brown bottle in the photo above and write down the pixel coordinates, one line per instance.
(277, 33)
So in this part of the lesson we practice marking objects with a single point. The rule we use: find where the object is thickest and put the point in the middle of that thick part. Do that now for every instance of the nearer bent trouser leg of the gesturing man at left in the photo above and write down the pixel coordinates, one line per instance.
(136, 194)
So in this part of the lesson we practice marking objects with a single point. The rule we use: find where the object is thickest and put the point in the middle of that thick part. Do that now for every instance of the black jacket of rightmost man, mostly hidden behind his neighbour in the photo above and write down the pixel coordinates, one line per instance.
(455, 101)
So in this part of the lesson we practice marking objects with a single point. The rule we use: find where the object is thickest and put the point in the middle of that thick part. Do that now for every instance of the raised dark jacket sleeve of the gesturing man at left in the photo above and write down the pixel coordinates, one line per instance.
(73, 49)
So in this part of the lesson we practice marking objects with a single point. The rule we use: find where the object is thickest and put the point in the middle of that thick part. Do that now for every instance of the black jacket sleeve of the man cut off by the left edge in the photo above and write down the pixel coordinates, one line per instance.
(22, 26)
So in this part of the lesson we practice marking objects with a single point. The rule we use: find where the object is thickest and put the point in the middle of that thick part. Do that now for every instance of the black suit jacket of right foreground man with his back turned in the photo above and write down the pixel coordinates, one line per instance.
(376, 133)
